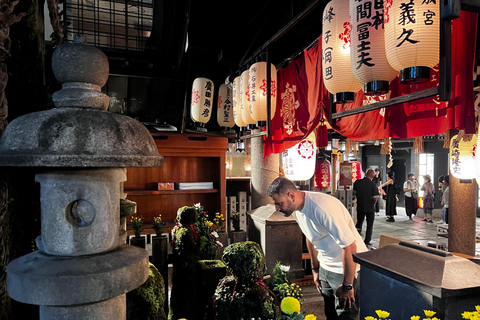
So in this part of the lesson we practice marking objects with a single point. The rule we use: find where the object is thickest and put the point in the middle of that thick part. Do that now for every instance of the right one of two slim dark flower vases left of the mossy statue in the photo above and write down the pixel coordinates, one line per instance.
(160, 252)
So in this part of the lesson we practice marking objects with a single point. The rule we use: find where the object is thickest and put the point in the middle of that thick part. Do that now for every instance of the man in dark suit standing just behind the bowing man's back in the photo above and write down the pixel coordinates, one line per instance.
(367, 196)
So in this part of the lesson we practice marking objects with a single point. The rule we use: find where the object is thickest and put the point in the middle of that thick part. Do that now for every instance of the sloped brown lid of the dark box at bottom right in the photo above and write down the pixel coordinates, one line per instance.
(433, 271)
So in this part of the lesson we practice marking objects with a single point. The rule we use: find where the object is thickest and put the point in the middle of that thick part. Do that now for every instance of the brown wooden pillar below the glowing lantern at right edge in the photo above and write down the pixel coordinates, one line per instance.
(462, 216)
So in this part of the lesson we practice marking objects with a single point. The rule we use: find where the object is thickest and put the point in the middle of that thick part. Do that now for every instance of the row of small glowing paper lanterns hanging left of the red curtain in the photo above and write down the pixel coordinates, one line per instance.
(243, 102)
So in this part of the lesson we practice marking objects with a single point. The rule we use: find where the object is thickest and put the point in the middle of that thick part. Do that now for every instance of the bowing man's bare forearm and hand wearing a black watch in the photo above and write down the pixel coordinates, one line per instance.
(346, 297)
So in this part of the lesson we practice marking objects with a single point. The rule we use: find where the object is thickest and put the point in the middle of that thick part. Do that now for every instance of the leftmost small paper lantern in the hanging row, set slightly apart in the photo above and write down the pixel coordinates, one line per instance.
(202, 96)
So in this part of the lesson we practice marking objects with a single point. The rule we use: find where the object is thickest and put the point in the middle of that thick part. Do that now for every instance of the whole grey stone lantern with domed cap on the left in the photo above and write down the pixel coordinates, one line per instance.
(83, 268)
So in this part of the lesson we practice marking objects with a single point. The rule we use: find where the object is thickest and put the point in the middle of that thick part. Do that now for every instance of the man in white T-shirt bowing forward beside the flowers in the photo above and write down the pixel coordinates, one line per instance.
(332, 239)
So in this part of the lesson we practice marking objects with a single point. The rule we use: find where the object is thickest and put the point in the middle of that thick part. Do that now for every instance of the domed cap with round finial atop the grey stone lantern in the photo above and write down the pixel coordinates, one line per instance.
(79, 132)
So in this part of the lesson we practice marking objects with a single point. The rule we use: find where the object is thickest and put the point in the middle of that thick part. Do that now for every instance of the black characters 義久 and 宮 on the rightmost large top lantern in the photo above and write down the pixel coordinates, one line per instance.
(408, 17)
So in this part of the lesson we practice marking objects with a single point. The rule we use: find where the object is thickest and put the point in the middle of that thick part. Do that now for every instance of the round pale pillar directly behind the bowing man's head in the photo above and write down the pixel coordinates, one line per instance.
(263, 172)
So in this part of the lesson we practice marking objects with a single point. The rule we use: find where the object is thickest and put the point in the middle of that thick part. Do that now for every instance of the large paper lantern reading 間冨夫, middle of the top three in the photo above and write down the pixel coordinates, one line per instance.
(367, 53)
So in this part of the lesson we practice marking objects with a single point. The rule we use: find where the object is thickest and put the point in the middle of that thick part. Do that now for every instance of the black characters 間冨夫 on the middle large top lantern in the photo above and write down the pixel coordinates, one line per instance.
(369, 14)
